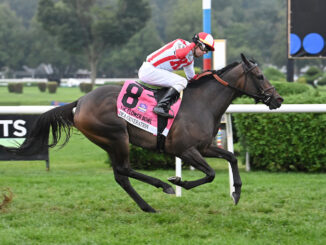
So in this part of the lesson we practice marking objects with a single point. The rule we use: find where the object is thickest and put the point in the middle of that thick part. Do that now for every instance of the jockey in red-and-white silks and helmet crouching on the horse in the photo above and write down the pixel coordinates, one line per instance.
(159, 66)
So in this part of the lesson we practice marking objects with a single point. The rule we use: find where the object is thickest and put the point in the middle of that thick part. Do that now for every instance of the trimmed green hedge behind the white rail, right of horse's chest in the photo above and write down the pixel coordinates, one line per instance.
(285, 141)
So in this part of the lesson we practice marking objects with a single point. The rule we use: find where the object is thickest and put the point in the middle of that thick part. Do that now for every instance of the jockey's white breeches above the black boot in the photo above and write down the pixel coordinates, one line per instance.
(159, 77)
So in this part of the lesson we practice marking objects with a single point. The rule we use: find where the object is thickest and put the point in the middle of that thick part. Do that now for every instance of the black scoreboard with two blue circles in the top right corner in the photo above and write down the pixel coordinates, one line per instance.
(306, 28)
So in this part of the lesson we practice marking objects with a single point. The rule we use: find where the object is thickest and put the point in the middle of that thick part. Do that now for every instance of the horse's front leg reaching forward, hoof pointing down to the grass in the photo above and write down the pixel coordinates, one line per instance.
(214, 151)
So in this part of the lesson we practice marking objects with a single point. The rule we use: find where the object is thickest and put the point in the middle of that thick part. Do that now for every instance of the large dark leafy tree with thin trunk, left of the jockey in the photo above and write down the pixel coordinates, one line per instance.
(91, 27)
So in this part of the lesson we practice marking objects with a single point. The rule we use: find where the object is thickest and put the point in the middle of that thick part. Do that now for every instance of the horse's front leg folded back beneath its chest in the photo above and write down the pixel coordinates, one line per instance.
(193, 157)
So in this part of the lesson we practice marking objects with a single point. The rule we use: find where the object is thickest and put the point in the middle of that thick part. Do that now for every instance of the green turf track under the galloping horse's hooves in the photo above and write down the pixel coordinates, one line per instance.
(78, 202)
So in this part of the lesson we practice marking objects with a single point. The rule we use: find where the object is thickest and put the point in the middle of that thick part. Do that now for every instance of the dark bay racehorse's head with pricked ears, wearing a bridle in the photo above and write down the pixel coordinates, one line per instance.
(255, 85)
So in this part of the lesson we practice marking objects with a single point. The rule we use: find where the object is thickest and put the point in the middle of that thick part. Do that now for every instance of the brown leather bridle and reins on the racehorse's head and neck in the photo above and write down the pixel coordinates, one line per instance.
(265, 98)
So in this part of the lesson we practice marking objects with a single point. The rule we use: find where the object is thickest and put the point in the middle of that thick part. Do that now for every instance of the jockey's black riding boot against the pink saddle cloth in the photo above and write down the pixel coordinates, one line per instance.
(163, 106)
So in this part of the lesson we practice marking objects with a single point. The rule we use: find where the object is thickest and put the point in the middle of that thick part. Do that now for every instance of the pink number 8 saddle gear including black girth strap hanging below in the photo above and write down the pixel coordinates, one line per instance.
(135, 104)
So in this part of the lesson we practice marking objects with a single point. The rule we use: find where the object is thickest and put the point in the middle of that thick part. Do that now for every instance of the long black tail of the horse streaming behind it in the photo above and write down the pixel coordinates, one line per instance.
(59, 120)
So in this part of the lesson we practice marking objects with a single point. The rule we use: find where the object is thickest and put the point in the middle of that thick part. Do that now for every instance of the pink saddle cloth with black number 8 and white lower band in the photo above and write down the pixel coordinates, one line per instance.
(135, 104)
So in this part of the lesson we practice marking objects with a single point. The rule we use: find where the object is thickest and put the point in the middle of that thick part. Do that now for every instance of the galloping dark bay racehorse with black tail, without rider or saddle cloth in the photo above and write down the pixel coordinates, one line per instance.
(190, 138)
